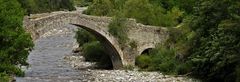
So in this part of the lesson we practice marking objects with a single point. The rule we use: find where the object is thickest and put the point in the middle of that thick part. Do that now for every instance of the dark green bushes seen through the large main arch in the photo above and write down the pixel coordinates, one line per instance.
(93, 51)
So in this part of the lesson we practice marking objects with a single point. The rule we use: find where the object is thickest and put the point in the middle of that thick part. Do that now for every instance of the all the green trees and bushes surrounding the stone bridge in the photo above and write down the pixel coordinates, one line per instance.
(204, 35)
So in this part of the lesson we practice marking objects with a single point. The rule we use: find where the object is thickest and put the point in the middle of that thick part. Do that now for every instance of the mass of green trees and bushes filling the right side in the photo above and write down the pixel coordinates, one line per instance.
(206, 43)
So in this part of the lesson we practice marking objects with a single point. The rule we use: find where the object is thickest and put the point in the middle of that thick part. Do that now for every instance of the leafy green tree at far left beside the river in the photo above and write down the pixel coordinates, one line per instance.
(15, 43)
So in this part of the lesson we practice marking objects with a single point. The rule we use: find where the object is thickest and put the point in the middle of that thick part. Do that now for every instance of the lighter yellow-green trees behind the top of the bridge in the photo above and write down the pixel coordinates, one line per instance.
(142, 10)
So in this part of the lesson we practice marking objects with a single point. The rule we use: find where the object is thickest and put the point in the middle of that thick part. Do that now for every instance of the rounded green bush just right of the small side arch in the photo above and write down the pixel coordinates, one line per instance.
(163, 59)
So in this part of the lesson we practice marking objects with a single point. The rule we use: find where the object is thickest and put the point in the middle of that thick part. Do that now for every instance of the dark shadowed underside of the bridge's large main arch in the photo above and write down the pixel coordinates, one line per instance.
(109, 48)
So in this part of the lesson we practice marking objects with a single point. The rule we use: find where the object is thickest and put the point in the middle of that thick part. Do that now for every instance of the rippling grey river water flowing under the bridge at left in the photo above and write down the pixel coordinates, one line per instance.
(47, 59)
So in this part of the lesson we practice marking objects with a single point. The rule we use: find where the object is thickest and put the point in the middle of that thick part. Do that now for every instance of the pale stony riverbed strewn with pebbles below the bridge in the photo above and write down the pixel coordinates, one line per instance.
(77, 62)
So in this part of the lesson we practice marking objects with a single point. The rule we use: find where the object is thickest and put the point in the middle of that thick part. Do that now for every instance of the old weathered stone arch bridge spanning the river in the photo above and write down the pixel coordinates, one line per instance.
(143, 36)
